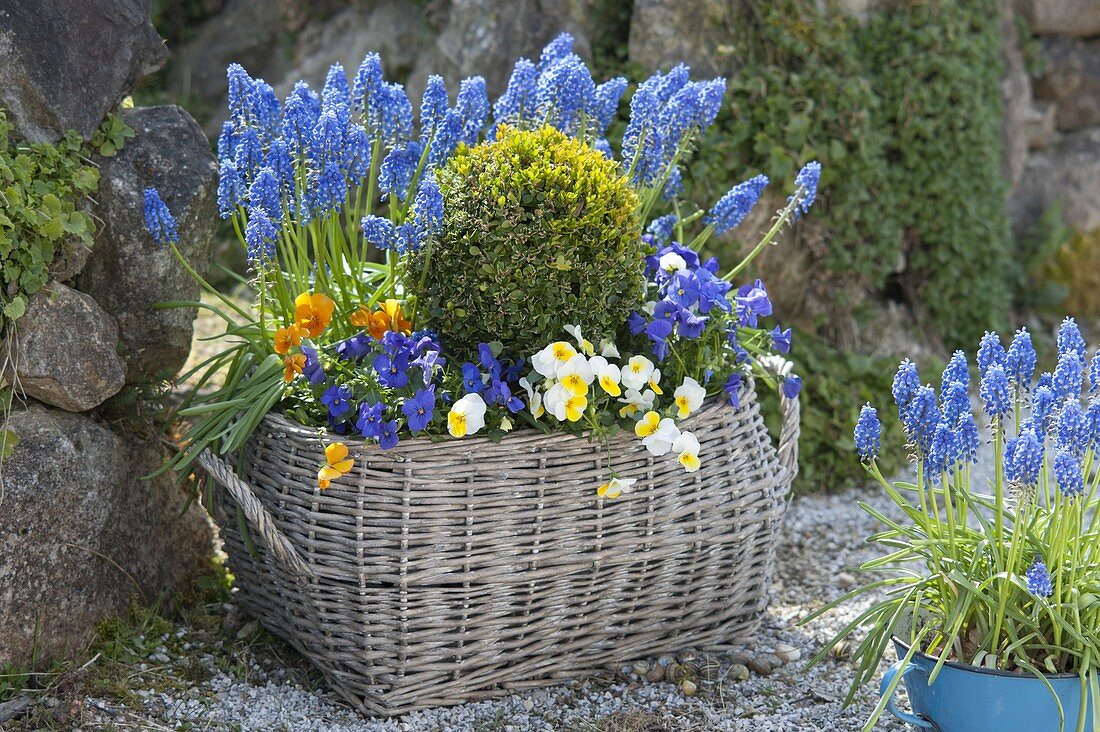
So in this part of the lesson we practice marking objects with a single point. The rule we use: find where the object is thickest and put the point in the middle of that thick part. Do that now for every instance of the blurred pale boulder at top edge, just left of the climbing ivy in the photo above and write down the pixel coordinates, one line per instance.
(667, 32)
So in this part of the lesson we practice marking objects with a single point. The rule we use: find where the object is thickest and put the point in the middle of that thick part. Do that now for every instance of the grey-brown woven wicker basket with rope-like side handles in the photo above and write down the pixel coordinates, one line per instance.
(443, 573)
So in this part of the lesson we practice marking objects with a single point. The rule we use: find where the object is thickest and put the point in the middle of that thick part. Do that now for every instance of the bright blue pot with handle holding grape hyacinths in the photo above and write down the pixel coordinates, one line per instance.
(972, 700)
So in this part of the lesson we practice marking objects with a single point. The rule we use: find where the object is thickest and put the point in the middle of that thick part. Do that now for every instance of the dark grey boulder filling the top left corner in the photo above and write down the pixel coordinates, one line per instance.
(65, 64)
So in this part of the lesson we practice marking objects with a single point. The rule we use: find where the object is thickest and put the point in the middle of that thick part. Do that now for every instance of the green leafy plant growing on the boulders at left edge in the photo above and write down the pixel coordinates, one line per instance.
(41, 188)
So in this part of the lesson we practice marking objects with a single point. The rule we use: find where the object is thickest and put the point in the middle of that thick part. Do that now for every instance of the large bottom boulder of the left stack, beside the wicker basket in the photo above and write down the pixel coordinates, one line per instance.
(81, 533)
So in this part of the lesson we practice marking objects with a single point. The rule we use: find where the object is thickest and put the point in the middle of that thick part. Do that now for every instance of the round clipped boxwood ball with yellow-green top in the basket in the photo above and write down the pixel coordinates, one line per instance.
(540, 231)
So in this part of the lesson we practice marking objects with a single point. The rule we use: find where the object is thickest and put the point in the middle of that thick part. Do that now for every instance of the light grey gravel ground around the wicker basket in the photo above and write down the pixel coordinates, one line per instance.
(821, 544)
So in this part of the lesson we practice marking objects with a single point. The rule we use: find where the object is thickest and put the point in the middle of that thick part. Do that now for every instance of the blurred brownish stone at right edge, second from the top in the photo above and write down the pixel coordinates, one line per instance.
(1072, 82)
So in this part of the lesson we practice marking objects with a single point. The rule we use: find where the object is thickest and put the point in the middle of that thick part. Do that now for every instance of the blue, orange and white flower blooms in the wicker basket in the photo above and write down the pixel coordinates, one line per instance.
(289, 165)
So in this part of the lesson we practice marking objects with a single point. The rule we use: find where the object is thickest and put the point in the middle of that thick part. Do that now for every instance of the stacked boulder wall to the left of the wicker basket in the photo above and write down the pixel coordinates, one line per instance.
(81, 532)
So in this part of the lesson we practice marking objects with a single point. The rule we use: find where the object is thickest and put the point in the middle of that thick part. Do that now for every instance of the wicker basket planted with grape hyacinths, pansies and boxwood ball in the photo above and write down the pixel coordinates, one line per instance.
(489, 372)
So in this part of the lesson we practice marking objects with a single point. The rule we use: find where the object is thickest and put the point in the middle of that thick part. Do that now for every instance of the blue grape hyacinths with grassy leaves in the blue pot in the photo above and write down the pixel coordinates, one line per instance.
(991, 587)
